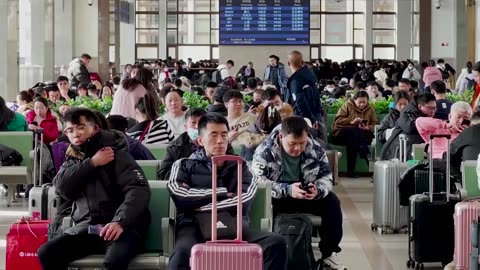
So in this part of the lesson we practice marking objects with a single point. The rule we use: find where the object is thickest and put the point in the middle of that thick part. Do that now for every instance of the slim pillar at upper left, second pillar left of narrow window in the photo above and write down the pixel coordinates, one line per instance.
(104, 40)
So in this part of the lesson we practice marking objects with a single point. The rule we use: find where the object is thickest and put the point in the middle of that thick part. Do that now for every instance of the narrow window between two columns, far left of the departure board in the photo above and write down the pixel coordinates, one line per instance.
(146, 29)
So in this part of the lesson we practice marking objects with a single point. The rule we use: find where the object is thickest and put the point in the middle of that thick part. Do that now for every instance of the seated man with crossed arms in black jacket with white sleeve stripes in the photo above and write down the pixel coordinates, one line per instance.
(190, 187)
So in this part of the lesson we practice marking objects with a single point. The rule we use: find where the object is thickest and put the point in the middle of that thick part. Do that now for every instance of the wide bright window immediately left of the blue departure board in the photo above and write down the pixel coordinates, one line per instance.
(192, 29)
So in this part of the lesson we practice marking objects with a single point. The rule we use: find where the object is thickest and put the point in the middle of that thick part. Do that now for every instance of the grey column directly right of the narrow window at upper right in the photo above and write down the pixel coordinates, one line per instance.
(404, 29)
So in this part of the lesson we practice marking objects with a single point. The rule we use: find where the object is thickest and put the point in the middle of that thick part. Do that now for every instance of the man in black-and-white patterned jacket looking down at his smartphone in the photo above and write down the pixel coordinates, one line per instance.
(302, 181)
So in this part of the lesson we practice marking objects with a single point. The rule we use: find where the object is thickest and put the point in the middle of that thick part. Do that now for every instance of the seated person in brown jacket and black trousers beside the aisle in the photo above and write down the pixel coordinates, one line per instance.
(353, 127)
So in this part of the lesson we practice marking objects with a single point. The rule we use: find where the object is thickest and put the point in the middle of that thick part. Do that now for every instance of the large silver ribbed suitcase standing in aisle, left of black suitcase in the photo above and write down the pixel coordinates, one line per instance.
(387, 212)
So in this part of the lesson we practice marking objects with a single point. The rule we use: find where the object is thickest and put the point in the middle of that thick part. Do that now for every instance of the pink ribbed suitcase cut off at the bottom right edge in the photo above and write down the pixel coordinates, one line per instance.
(465, 213)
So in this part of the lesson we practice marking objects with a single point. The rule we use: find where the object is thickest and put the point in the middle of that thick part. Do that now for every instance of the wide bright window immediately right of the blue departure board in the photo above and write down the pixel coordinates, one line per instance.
(337, 29)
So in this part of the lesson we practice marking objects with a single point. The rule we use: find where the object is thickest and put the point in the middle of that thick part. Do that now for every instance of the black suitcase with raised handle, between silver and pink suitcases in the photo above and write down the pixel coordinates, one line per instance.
(431, 226)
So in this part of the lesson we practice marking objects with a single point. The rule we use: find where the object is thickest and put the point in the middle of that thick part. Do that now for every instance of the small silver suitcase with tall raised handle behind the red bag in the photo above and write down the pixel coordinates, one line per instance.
(42, 200)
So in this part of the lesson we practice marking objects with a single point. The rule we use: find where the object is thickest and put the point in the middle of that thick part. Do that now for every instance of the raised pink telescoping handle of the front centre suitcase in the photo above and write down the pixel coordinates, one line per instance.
(215, 161)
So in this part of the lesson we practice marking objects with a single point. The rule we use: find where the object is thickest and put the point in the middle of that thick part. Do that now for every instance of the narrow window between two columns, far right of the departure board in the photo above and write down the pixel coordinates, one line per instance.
(384, 30)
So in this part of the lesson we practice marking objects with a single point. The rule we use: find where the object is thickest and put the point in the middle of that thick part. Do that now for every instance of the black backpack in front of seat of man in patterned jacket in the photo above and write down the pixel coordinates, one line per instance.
(297, 229)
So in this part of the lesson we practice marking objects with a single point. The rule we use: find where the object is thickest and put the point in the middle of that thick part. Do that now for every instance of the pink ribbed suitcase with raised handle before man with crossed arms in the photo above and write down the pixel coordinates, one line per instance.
(226, 254)
